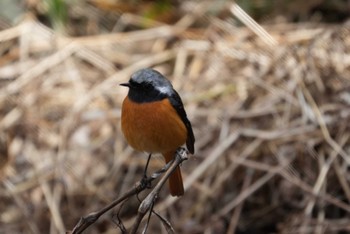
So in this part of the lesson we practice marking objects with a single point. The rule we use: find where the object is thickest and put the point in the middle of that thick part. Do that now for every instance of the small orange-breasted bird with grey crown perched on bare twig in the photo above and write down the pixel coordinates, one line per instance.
(154, 120)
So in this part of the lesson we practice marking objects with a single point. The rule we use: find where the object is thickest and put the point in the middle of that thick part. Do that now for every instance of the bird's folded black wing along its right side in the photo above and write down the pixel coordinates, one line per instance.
(176, 101)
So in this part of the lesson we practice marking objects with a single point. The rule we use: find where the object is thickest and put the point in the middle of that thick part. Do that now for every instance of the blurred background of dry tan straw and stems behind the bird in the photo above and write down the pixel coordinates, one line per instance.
(266, 85)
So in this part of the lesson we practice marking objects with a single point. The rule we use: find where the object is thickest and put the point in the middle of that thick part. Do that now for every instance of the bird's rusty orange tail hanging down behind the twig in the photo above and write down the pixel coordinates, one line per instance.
(175, 180)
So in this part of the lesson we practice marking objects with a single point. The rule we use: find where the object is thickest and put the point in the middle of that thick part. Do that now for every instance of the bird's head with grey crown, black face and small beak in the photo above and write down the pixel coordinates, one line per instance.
(148, 85)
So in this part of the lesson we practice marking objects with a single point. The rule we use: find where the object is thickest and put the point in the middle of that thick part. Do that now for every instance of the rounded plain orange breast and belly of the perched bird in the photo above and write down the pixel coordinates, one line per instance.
(153, 127)
